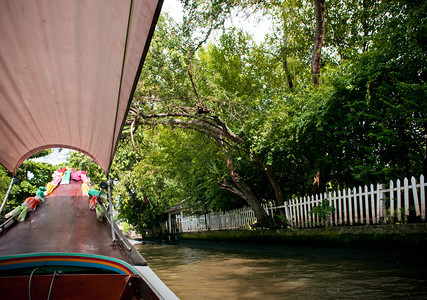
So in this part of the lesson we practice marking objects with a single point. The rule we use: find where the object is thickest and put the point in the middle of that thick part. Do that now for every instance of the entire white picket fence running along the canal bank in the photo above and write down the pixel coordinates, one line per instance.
(372, 204)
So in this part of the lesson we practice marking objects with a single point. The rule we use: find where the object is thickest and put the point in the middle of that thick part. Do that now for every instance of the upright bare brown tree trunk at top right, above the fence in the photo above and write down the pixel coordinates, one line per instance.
(319, 35)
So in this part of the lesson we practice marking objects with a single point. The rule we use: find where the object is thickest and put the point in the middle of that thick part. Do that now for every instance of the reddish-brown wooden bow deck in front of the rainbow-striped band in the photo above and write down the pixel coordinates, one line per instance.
(63, 223)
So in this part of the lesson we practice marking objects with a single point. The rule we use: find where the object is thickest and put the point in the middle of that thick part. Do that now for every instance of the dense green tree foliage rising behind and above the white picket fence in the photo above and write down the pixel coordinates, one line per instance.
(366, 123)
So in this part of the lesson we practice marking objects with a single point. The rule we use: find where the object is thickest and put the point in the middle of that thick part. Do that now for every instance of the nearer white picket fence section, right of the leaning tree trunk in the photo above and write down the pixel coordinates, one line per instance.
(362, 205)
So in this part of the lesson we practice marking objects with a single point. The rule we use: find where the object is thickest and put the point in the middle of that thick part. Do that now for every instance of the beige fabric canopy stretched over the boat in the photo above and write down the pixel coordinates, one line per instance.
(68, 71)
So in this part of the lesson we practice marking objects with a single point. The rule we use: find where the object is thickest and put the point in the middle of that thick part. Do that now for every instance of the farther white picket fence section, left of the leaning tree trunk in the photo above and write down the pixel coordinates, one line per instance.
(240, 218)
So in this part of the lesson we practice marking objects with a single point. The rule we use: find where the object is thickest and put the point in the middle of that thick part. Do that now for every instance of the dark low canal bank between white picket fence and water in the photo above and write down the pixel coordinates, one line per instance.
(404, 236)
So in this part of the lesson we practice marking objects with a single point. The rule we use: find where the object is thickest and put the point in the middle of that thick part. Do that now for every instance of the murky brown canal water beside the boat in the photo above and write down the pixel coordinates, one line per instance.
(208, 270)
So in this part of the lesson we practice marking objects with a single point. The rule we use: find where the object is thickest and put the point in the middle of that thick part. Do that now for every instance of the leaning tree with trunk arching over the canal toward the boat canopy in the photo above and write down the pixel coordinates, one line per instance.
(208, 103)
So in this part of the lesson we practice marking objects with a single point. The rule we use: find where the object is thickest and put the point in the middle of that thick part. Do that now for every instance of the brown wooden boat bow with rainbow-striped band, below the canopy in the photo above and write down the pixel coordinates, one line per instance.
(63, 245)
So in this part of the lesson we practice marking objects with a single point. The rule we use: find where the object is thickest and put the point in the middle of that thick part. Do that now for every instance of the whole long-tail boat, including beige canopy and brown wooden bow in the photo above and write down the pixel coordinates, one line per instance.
(68, 73)
